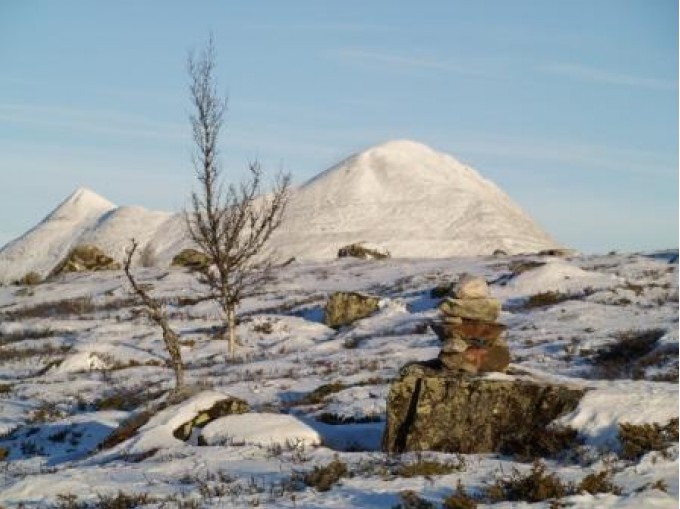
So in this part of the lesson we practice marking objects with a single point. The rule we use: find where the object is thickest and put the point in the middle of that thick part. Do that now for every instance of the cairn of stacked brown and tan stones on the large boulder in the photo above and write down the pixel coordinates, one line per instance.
(472, 341)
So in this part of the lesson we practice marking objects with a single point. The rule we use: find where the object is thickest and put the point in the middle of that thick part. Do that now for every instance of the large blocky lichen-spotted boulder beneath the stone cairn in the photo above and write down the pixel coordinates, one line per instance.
(431, 409)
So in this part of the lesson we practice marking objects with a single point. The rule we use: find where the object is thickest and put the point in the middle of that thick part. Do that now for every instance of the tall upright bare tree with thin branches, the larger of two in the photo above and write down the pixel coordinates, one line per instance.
(233, 224)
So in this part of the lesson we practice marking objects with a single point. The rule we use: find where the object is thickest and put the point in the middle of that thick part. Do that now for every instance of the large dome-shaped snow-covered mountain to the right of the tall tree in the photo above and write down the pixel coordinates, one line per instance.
(410, 199)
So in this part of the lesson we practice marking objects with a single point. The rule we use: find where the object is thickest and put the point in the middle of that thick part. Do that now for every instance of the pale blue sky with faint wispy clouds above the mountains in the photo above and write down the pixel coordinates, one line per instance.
(570, 107)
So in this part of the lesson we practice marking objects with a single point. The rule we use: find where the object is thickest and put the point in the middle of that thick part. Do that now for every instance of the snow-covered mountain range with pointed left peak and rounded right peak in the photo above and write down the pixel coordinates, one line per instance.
(401, 195)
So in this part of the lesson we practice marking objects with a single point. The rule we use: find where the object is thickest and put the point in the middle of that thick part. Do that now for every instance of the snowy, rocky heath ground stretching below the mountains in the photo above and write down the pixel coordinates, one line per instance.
(77, 359)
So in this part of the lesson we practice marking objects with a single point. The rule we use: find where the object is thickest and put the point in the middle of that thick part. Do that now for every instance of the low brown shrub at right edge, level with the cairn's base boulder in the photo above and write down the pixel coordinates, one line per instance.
(638, 440)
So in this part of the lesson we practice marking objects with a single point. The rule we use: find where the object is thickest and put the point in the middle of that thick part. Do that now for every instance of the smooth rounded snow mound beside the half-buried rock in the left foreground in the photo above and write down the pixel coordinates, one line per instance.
(263, 429)
